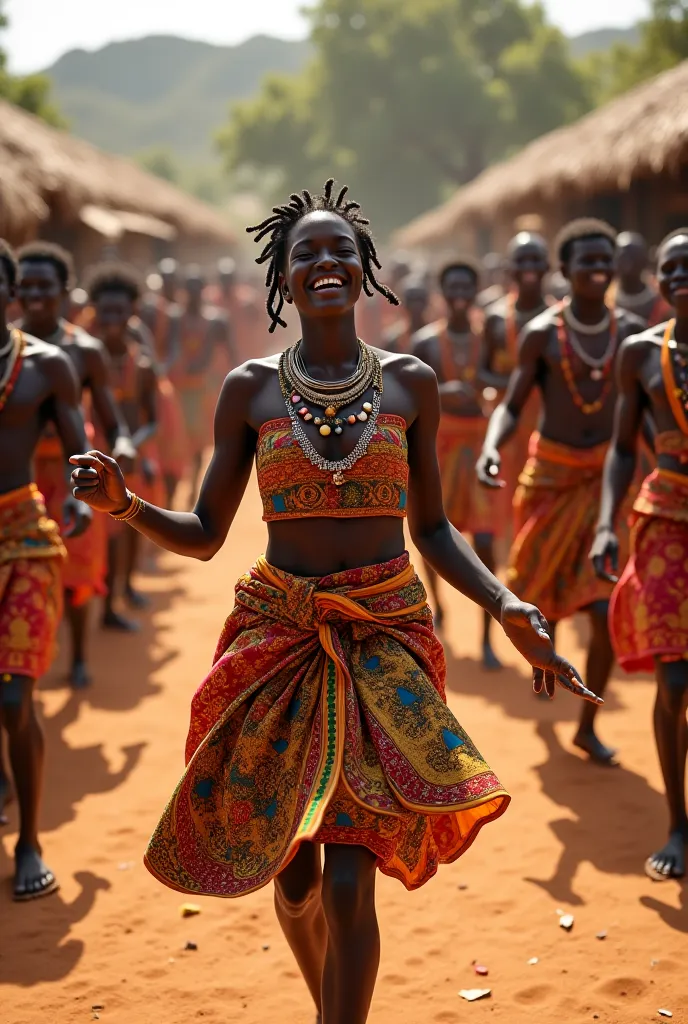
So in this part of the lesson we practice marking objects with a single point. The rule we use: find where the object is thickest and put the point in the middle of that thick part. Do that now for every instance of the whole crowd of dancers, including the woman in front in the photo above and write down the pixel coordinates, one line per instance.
(549, 399)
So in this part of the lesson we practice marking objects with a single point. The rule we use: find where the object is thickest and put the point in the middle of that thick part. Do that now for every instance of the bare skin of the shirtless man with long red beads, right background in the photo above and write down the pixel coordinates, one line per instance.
(590, 272)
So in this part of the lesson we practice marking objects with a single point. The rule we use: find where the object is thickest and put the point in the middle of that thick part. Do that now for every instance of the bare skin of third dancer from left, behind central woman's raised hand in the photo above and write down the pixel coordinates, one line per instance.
(115, 324)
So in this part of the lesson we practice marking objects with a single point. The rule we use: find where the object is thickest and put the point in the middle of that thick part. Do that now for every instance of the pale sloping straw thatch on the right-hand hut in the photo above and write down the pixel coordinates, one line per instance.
(640, 135)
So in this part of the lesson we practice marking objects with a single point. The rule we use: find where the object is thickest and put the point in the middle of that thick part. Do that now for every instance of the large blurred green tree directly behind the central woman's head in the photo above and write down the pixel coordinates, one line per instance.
(407, 101)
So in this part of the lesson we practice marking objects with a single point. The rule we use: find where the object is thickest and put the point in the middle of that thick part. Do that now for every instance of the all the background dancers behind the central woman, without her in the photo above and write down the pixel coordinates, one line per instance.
(564, 440)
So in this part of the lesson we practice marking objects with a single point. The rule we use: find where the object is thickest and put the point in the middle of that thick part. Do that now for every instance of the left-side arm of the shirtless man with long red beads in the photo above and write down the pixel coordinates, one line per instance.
(505, 419)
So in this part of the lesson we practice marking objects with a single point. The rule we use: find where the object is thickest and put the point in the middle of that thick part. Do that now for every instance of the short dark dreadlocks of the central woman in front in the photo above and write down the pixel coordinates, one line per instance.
(287, 217)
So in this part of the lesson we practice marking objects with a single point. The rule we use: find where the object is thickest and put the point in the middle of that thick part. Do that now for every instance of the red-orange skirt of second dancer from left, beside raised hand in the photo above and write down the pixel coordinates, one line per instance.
(85, 568)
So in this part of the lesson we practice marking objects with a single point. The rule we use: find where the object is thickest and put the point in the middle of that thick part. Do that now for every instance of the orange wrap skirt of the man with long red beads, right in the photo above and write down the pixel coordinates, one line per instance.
(555, 508)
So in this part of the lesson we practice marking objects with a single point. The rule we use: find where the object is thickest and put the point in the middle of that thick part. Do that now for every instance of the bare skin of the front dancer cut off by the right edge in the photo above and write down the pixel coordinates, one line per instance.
(641, 390)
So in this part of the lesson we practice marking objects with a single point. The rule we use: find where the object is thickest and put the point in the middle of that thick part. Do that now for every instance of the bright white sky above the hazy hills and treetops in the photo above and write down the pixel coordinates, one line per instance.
(42, 30)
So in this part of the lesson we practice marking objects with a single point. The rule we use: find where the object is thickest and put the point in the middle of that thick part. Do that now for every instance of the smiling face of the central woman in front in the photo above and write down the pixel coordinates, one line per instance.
(323, 274)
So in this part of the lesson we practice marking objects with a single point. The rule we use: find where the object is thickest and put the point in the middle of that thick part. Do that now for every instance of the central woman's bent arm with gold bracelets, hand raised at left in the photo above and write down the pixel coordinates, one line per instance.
(202, 533)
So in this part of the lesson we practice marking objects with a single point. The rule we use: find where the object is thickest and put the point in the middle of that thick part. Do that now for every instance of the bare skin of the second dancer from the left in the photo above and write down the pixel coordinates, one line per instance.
(42, 295)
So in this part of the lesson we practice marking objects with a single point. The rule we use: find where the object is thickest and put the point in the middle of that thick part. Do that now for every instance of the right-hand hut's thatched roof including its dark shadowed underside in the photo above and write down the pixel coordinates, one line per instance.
(615, 152)
